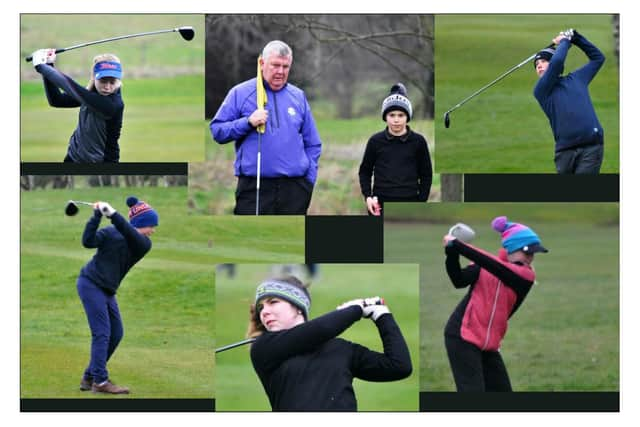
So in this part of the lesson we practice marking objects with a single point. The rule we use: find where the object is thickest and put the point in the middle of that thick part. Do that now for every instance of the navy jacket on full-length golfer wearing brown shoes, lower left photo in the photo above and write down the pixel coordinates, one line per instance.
(120, 247)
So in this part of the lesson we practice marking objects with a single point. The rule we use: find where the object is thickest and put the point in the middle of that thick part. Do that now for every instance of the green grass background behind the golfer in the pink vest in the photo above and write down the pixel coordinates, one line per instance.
(565, 337)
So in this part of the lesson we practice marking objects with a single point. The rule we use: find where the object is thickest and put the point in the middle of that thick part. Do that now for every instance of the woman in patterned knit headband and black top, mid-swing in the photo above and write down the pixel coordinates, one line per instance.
(301, 363)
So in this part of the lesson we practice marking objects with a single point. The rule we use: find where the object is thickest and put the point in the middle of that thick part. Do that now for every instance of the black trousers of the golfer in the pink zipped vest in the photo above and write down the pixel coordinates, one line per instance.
(474, 369)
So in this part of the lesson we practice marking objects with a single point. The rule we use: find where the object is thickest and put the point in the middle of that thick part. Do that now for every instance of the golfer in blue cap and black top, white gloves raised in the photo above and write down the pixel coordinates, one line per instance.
(95, 139)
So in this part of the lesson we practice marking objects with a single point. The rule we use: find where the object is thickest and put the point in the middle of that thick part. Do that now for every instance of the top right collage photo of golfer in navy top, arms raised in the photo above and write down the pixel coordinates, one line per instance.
(495, 113)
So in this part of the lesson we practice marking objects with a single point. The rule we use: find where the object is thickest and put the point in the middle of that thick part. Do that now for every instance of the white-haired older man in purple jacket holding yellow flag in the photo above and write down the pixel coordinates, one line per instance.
(289, 147)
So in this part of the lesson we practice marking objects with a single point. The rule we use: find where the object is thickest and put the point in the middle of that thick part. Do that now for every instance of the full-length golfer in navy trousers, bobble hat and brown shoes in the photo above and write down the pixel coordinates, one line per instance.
(120, 247)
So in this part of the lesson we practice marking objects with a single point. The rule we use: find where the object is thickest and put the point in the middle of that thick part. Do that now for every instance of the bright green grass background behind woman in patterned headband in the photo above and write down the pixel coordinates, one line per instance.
(238, 387)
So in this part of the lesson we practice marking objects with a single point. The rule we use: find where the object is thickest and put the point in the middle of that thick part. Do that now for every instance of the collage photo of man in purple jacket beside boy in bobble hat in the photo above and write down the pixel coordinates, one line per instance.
(315, 119)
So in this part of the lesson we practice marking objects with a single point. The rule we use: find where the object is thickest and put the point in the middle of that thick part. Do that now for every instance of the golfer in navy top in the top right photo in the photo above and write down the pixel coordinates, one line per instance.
(566, 102)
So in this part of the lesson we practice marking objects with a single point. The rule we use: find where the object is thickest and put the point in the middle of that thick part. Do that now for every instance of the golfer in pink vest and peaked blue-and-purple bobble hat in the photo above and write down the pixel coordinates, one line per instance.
(497, 287)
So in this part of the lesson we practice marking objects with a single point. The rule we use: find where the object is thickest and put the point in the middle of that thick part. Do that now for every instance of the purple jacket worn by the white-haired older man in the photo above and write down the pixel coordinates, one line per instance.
(290, 146)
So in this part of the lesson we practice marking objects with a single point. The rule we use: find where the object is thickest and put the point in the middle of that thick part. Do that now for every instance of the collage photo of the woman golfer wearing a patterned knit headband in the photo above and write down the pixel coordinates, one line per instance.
(296, 362)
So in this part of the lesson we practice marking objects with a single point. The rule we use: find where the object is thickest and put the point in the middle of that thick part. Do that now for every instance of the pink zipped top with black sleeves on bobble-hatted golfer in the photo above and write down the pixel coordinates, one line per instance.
(497, 288)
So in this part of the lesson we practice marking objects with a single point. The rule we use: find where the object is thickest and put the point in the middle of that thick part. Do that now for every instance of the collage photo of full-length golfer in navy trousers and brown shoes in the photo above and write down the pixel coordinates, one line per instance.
(116, 298)
